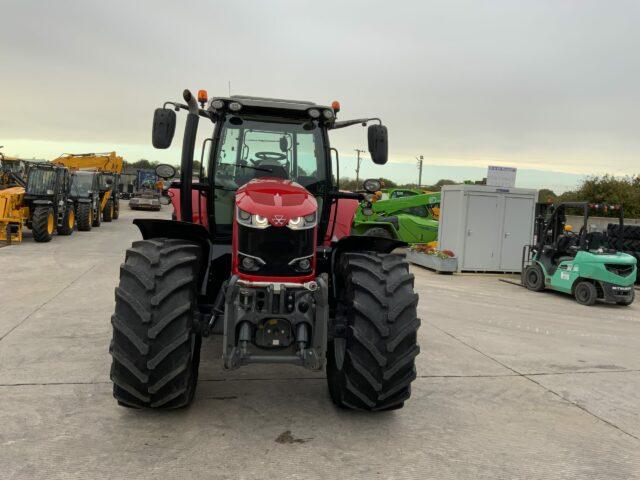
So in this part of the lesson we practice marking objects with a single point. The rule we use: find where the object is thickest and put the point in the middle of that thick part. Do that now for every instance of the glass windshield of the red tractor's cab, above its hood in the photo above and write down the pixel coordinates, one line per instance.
(251, 149)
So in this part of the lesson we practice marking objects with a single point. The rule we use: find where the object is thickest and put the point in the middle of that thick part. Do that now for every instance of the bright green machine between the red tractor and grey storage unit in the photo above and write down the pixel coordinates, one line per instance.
(411, 218)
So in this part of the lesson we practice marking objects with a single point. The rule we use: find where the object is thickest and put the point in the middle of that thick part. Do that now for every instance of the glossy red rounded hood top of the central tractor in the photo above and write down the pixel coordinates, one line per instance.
(276, 199)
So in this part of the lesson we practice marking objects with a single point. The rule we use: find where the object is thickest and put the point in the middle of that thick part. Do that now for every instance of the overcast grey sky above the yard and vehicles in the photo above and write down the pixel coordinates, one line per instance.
(545, 85)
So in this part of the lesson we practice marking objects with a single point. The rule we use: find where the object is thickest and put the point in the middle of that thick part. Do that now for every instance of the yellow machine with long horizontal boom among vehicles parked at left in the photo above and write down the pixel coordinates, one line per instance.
(109, 165)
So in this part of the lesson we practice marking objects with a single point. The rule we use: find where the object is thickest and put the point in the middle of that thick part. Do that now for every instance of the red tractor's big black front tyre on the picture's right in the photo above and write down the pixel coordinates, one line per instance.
(372, 365)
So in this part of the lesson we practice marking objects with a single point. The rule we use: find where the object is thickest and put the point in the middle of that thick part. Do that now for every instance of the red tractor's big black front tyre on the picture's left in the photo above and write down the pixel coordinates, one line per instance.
(155, 348)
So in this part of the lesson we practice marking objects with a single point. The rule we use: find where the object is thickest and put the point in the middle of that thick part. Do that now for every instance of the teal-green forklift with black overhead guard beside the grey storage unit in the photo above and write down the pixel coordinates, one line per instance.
(586, 264)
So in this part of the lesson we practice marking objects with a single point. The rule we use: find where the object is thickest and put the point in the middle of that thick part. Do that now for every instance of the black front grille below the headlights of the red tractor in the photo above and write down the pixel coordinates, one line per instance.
(277, 248)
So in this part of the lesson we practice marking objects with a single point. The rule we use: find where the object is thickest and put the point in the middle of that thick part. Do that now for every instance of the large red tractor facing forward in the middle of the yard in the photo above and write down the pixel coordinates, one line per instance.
(260, 253)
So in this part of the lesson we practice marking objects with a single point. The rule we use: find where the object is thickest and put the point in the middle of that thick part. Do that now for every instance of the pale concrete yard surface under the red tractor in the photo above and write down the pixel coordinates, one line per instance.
(511, 385)
